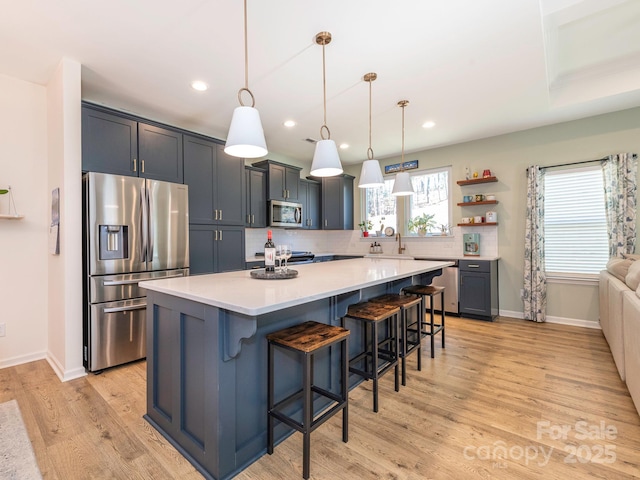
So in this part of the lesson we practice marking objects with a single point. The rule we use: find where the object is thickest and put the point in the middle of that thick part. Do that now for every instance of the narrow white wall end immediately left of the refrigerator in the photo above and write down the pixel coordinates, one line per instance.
(65, 270)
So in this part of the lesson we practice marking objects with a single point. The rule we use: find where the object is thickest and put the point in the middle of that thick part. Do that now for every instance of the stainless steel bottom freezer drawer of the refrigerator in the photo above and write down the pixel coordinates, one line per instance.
(117, 333)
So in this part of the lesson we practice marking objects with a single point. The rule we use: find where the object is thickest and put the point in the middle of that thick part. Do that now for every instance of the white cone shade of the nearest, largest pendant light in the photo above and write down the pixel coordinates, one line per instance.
(246, 136)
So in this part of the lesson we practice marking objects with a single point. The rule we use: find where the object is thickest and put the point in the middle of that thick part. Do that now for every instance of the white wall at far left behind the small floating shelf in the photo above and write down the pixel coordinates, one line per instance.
(23, 243)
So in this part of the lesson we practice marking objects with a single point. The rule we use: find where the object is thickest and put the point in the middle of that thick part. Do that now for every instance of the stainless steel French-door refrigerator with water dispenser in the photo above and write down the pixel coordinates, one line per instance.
(134, 229)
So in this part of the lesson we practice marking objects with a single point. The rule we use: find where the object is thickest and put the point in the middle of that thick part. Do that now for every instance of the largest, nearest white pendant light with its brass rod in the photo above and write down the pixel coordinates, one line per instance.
(246, 136)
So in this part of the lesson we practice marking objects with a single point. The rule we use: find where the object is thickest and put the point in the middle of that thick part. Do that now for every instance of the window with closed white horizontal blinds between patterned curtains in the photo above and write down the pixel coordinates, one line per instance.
(575, 226)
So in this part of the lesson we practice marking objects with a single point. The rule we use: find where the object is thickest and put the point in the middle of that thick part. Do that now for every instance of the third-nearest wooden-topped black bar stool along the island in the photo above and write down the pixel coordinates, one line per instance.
(410, 330)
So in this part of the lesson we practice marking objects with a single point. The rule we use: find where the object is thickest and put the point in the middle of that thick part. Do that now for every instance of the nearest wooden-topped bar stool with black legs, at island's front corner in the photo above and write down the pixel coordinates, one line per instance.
(307, 339)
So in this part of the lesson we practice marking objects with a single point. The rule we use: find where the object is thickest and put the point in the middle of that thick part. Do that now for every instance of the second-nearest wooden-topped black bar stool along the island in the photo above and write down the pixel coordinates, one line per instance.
(379, 355)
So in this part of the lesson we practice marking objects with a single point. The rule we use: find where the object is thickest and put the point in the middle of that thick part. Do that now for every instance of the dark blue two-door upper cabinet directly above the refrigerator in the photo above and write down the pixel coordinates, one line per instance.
(118, 144)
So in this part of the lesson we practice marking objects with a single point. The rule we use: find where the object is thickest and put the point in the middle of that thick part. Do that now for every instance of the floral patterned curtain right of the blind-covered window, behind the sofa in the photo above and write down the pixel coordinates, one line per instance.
(620, 178)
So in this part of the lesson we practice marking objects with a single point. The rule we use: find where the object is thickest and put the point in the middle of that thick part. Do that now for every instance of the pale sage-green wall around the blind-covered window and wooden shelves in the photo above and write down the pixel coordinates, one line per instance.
(508, 156)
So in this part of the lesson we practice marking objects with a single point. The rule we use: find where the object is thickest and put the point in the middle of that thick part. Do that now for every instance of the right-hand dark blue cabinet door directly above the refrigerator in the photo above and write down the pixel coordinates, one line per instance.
(160, 153)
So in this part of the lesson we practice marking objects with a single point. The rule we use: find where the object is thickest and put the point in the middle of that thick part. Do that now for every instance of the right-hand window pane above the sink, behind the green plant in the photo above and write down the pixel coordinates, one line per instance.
(431, 196)
